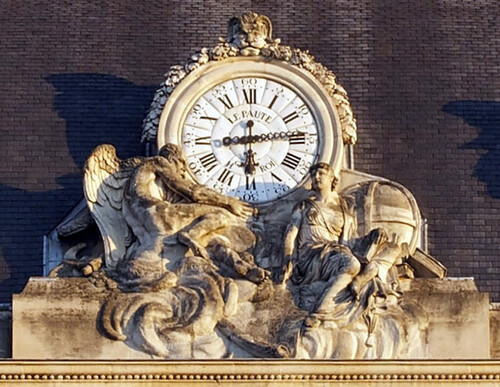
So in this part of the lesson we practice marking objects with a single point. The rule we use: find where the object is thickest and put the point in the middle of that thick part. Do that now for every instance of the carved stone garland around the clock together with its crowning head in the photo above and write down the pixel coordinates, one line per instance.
(249, 35)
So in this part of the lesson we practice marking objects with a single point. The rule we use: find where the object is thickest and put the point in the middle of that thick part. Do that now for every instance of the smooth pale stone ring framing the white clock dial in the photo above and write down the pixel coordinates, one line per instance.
(199, 81)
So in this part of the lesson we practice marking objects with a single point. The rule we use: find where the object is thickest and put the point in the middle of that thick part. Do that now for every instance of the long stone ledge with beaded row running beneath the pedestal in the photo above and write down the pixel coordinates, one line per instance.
(233, 373)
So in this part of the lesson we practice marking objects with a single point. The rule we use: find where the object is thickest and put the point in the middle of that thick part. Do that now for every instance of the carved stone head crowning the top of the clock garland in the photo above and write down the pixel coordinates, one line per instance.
(250, 32)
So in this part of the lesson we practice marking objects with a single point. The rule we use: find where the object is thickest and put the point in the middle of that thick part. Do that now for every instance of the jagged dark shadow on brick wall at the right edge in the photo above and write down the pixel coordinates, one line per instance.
(484, 115)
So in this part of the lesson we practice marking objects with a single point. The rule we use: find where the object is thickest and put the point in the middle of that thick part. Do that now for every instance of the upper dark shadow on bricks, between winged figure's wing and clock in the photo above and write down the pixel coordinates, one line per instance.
(100, 109)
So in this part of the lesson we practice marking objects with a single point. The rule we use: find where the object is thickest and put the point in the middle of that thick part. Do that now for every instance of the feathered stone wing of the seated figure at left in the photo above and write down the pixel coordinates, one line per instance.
(104, 177)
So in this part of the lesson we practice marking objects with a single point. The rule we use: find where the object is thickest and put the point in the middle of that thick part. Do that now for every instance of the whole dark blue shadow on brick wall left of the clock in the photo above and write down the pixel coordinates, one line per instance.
(97, 109)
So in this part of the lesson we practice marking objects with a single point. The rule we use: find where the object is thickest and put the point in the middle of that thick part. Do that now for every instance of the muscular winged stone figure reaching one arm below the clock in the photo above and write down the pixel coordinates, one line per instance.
(139, 202)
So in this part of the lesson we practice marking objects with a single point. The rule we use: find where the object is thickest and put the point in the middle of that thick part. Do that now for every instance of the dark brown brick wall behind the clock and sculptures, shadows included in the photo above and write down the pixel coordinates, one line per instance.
(423, 79)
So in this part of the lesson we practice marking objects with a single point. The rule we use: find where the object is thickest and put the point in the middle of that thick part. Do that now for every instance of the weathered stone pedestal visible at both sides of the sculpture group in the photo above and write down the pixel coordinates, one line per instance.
(56, 318)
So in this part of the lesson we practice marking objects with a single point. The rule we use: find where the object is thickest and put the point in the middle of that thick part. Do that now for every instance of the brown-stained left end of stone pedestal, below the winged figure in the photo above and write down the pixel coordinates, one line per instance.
(57, 319)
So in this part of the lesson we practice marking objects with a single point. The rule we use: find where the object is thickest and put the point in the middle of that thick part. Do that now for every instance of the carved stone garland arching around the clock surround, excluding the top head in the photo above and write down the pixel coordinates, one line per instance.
(274, 50)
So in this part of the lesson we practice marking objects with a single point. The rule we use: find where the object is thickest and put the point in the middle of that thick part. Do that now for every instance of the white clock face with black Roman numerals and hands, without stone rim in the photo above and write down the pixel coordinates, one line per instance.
(250, 137)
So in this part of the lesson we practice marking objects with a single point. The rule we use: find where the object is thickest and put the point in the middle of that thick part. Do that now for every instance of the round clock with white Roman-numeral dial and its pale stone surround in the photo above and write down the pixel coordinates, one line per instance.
(252, 128)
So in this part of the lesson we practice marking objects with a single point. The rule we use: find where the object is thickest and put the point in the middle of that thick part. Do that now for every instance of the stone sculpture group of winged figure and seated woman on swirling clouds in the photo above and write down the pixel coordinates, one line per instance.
(196, 274)
